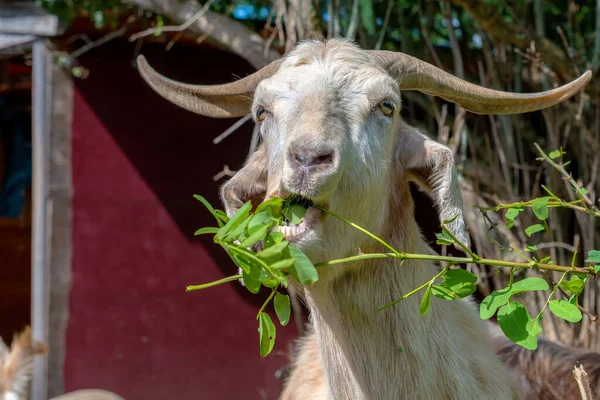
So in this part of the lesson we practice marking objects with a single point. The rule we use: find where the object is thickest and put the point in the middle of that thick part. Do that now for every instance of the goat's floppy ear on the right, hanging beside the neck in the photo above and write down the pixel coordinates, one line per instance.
(431, 166)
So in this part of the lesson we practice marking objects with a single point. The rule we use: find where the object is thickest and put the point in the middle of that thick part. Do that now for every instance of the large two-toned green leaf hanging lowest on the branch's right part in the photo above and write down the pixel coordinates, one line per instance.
(518, 326)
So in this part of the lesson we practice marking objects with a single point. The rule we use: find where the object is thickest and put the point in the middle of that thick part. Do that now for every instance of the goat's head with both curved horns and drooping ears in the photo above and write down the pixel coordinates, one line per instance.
(331, 133)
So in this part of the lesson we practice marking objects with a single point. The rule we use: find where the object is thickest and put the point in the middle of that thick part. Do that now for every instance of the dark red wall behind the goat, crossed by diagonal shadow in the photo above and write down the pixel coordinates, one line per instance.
(137, 160)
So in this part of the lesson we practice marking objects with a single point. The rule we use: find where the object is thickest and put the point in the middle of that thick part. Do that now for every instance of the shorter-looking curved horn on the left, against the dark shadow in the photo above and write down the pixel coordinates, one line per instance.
(218, 101)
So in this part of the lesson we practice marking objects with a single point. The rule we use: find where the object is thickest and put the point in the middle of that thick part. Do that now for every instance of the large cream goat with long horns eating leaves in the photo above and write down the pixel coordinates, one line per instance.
(331, 133)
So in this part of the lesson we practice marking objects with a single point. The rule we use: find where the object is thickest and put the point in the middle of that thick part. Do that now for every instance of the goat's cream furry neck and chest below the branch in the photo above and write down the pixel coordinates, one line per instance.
(396, 353)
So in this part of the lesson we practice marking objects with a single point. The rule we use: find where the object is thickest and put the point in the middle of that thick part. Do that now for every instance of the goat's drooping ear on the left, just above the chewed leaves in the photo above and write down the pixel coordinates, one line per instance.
(249, 183)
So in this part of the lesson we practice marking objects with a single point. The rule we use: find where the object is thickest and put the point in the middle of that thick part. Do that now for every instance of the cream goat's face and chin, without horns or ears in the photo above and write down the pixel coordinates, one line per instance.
(327, 121)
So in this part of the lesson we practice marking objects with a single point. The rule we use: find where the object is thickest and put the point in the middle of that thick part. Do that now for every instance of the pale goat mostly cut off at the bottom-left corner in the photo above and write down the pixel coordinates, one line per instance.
(16, 367)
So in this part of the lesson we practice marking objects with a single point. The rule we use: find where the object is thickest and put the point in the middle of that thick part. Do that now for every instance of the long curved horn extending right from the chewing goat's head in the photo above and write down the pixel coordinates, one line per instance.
(414, 74)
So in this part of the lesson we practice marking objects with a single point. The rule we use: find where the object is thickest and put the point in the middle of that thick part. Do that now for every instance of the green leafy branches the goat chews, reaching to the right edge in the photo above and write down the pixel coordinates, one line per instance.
(256, 246)
